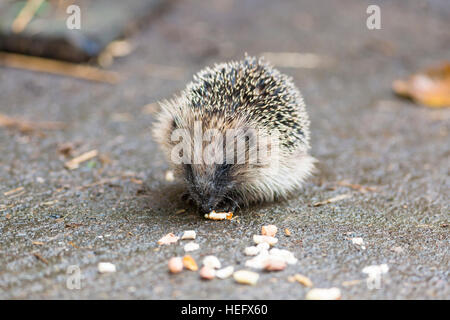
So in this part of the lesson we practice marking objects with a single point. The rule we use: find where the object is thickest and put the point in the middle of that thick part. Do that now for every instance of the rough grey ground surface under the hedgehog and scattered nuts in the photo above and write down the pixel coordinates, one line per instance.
(361, 133)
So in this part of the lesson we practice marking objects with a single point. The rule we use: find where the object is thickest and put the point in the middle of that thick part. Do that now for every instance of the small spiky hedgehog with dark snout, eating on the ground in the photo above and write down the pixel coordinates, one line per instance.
(237, 135)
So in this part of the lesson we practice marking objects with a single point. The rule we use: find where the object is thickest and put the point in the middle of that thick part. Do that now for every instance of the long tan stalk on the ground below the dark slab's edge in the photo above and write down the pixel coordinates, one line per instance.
(57, 67)
